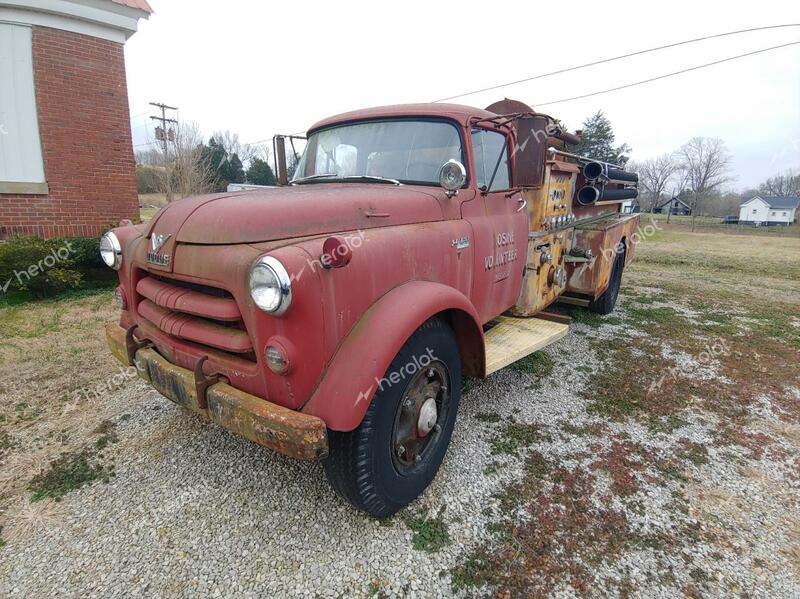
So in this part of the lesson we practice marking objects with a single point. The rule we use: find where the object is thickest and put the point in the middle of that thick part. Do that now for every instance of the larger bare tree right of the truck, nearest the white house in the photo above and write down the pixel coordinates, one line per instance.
(705, 162)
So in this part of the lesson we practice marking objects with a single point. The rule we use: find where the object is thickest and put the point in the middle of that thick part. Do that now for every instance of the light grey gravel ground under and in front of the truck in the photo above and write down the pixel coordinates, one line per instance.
(194, 509)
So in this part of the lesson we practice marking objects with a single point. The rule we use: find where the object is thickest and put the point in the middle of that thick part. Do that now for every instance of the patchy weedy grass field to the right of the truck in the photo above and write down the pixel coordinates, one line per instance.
(698, 377)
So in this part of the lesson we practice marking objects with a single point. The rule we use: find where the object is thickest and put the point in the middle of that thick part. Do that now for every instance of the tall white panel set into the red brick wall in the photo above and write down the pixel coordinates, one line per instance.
(20, 147)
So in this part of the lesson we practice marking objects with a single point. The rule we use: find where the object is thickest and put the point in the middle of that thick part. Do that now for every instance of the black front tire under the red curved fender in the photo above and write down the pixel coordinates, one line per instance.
(363, 465)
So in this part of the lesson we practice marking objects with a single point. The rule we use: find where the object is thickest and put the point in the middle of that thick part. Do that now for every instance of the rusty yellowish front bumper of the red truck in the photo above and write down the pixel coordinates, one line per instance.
(288, 432)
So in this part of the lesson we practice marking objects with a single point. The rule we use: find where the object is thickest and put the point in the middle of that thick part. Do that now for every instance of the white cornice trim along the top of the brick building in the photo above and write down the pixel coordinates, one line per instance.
(98, 18)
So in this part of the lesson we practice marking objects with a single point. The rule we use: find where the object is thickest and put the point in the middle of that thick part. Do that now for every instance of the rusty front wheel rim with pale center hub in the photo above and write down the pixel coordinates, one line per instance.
(417, 422)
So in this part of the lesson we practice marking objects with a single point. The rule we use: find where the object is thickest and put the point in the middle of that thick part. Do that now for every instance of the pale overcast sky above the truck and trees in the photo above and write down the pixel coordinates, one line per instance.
(258, 68)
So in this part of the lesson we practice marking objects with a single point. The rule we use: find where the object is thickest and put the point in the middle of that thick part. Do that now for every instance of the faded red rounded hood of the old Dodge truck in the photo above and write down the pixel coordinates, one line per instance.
(288, 212)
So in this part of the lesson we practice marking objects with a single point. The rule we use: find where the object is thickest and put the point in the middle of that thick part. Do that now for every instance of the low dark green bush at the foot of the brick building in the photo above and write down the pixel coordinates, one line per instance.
(44, 267)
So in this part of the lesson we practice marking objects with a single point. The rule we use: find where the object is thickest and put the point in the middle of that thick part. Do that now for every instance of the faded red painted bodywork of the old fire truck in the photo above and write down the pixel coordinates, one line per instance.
(405, 269)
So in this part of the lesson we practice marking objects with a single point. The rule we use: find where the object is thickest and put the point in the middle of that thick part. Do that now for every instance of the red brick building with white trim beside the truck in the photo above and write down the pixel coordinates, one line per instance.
(66, 157)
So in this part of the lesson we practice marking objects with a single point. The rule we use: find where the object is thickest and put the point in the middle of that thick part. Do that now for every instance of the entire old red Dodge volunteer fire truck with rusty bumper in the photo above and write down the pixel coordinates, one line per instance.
(335, 317)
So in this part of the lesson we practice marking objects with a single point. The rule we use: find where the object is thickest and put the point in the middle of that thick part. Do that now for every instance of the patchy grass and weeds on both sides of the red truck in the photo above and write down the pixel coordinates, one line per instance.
(683, 428)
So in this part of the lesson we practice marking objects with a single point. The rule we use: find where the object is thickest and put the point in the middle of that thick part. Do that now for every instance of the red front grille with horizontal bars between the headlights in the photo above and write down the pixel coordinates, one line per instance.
(203, 315)
